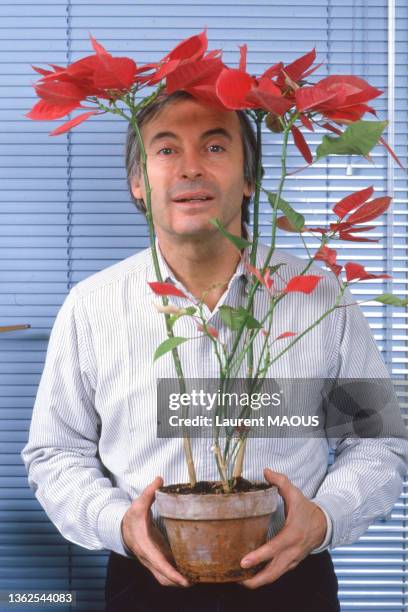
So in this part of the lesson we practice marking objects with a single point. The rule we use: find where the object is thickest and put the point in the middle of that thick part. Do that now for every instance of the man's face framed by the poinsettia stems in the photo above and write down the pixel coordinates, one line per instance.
(193, 151)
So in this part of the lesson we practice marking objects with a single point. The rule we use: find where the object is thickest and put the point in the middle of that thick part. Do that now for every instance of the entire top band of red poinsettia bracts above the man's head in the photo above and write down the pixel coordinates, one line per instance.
(189, 67)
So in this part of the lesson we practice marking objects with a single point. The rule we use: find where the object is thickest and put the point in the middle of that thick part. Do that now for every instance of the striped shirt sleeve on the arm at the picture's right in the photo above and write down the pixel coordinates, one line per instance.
(367, 474)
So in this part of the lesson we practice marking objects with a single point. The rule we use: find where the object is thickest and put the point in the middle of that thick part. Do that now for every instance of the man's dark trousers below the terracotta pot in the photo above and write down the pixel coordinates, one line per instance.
(310, 587)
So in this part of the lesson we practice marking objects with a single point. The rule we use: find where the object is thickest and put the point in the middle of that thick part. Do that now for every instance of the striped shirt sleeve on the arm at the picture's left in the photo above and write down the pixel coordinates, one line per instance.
(61, 455)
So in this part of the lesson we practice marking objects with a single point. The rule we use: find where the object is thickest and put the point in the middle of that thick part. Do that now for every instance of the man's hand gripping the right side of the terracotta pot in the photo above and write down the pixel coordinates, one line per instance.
(304, 530)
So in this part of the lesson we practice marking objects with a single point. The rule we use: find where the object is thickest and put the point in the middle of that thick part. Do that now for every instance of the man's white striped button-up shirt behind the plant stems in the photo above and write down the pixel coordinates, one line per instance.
(92, 445)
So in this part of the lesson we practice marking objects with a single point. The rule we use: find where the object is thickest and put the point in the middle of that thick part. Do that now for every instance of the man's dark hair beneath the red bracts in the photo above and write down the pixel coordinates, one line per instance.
(133, 167)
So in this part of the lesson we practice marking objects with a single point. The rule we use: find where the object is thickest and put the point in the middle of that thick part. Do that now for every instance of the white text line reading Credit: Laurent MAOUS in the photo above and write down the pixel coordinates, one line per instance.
(271, 421)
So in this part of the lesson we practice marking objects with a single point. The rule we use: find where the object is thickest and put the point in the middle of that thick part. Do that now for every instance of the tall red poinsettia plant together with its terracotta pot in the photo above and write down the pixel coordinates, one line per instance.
(285, 101)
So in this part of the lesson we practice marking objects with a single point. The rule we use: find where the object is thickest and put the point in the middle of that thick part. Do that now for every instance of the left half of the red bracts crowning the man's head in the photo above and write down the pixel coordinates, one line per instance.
(62, 90)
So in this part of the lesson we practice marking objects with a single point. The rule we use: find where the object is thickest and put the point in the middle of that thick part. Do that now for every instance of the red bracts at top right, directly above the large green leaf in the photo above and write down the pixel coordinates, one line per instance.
(341, 98)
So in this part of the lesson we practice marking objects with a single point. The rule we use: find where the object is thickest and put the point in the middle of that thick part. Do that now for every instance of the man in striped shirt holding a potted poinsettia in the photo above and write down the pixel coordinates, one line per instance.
(98, 391)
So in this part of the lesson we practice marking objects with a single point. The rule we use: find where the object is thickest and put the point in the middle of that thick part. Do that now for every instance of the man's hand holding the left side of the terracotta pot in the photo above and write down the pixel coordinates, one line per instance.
(144, 539)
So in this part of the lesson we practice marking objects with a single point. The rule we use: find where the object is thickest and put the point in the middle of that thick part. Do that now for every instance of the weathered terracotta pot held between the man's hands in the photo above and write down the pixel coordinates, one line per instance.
(210, 534)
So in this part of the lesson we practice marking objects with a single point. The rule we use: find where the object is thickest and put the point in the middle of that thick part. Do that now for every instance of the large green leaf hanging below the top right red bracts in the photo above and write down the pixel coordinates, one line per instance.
(358, 139)
